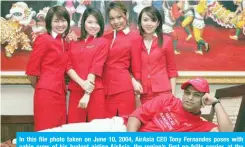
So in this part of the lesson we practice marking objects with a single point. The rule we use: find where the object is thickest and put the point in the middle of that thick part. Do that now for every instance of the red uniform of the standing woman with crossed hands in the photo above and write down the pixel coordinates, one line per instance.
(87, 56)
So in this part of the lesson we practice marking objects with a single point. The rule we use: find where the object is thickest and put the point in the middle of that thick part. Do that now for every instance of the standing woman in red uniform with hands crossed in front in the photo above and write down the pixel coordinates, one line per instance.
(86, 61)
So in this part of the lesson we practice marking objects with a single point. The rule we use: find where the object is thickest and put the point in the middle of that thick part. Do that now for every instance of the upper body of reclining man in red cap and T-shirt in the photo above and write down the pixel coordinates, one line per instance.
(170, 114)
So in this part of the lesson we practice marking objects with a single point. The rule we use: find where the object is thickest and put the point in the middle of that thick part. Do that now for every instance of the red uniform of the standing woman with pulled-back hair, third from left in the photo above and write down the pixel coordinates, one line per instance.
(123, 58)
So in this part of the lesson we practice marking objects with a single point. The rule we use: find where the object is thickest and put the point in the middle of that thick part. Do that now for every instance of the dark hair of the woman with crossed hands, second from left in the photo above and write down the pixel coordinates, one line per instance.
(98, 16)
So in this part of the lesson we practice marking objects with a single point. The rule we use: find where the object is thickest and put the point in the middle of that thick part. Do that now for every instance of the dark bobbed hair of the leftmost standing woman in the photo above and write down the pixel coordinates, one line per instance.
(60, 12)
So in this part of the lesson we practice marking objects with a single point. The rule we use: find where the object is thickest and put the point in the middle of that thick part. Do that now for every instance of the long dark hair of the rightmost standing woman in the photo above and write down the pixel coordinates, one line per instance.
(155, 15)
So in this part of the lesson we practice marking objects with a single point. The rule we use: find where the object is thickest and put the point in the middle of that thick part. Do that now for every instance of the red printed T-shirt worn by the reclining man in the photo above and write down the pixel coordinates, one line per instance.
(168, 115)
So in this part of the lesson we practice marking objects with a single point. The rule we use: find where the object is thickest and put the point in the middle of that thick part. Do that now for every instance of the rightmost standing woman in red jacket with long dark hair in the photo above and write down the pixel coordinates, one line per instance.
(158, 74)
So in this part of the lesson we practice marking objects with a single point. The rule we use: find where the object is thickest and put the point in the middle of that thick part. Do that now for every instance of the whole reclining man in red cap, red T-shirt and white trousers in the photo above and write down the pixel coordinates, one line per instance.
(163, 114)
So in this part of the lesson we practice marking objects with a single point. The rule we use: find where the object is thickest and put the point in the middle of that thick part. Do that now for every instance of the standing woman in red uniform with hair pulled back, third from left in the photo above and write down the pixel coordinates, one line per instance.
(122, 67)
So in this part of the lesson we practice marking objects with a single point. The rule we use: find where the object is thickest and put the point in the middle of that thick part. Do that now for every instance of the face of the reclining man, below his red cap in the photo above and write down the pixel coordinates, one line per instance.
(192, 100)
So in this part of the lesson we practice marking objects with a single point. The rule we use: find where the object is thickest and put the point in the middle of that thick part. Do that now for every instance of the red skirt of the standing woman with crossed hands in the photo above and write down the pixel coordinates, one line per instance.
(95, 109)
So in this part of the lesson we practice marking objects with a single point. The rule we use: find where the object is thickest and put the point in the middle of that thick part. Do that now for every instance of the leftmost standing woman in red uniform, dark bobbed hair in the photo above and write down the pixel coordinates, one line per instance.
(46, 70)
